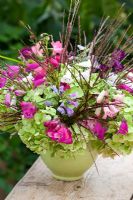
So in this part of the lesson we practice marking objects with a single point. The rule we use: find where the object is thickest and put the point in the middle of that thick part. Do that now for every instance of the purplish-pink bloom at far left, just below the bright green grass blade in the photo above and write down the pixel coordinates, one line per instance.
(13, 71)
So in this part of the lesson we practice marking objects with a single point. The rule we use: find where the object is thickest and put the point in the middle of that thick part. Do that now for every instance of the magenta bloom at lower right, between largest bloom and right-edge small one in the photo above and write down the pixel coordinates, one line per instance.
(99, 130)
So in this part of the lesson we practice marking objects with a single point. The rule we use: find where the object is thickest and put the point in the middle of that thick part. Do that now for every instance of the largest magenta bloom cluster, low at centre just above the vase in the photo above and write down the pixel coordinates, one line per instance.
(58, 132)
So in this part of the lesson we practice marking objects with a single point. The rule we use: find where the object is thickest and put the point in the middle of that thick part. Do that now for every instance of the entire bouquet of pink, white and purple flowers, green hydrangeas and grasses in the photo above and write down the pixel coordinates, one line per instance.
(63, 97)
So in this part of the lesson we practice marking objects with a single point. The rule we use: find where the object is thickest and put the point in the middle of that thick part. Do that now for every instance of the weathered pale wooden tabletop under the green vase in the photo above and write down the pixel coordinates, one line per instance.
(114, 182)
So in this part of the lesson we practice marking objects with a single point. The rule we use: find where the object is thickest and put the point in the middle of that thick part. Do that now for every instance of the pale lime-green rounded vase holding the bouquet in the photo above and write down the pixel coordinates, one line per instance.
(69, 169)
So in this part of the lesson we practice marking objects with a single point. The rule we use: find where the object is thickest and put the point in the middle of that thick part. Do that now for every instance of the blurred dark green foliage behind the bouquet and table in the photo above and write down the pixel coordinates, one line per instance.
(42, 16)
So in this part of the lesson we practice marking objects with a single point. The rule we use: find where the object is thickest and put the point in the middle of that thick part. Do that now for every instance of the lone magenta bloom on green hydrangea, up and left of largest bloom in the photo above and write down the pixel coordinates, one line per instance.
(28, 109)
